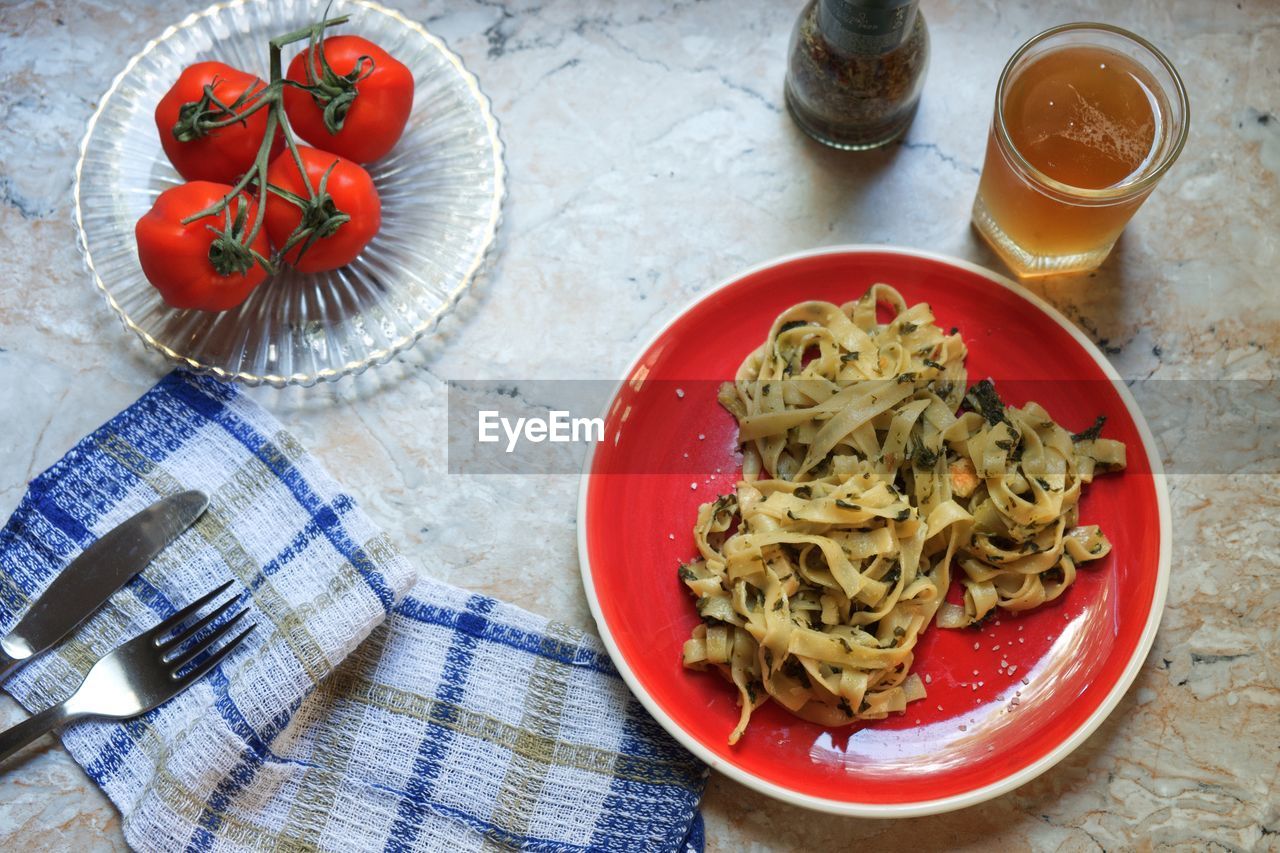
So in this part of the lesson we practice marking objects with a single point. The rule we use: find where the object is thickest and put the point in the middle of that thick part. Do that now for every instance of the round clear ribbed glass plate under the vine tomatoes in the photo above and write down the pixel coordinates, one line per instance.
(442, 190)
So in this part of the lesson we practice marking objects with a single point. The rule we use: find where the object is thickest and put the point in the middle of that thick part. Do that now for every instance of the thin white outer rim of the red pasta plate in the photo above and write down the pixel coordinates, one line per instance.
(926, 806)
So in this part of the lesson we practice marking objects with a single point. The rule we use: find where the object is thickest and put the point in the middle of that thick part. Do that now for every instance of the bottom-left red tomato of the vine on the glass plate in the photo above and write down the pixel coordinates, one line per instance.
(190, 264)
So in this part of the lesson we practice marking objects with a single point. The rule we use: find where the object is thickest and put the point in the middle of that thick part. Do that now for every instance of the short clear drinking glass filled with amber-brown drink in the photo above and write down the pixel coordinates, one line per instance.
(1089, 118)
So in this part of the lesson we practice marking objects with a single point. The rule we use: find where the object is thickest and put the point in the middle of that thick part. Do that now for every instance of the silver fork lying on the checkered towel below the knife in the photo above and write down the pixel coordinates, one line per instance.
(144, 673)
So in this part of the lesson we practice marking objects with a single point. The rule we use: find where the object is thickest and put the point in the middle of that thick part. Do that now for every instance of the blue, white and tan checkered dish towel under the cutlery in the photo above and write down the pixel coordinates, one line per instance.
(356, 718)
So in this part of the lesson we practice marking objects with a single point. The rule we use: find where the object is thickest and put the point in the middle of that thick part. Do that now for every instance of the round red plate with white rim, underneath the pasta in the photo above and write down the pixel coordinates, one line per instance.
(977, 736)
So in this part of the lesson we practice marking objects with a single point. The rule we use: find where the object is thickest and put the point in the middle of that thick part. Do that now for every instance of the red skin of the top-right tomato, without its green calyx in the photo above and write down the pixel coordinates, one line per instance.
(377, 117)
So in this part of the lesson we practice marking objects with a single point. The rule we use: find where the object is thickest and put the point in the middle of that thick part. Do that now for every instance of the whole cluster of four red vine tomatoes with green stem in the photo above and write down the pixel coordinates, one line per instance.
(250, 202)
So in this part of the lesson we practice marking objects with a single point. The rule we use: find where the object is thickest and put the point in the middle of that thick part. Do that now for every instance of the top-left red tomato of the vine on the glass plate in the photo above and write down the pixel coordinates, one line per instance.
(218, 154)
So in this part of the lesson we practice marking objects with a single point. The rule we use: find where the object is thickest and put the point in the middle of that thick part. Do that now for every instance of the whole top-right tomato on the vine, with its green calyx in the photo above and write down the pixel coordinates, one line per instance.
(368, 108)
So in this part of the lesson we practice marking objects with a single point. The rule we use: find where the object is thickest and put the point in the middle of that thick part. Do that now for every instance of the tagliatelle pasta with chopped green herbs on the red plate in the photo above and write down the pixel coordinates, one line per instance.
(863, 483)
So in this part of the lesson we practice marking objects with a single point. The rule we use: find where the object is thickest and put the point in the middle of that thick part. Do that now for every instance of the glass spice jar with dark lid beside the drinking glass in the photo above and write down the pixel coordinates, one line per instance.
(856, 71)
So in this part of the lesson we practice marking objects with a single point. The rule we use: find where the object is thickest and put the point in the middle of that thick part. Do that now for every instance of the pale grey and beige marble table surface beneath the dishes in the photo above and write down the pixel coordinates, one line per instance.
(651, 158)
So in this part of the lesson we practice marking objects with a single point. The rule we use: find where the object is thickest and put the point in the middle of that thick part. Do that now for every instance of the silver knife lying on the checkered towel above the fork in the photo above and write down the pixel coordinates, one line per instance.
(92, 578)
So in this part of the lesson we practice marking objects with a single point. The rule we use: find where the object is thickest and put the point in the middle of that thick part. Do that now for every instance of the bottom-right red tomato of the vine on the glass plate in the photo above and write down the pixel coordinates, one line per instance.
(349, 191)
